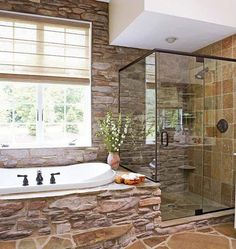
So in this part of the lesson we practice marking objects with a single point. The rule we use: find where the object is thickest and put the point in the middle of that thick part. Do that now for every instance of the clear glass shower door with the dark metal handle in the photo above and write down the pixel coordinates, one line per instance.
(180, 114)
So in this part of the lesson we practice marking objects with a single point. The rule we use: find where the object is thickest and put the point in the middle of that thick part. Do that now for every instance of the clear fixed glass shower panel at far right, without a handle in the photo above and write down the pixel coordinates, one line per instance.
(218, 150)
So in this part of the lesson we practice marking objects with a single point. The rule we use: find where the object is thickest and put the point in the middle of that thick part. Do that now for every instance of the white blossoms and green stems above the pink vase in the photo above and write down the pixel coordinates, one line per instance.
(114, 130)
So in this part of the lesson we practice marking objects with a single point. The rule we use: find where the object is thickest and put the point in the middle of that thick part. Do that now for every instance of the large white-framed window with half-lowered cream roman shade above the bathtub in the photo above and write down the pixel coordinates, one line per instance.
(45, 82)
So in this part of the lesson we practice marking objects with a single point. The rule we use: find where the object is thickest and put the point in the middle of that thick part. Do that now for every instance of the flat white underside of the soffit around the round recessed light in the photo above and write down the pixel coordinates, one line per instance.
(150, 30)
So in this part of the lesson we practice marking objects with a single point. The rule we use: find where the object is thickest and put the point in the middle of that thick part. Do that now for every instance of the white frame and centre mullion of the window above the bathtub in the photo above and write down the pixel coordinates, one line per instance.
(14, 78)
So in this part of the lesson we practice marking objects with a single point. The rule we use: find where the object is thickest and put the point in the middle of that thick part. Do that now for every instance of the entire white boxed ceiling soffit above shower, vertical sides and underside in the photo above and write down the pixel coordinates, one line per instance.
(195, 23)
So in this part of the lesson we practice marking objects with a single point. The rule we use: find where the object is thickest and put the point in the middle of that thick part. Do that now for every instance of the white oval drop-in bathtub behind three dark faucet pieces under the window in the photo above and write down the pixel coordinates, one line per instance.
(78, 176)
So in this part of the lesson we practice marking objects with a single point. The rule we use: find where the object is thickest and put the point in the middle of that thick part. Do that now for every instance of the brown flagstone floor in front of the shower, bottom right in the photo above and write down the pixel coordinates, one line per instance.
(221, 236)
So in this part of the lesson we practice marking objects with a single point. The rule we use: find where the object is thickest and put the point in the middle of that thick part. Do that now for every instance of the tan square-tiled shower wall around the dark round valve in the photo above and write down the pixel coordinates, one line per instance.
(220, 102)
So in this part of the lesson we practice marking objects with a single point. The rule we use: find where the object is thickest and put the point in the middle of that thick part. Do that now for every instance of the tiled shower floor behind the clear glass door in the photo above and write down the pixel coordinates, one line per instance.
(179, 205)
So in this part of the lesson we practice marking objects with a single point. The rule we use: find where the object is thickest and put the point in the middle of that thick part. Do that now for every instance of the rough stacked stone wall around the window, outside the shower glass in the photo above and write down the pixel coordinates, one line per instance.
(106, 60)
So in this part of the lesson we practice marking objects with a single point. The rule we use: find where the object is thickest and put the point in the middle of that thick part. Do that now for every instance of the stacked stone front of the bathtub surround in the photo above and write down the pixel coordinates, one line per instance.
(100, 219)
